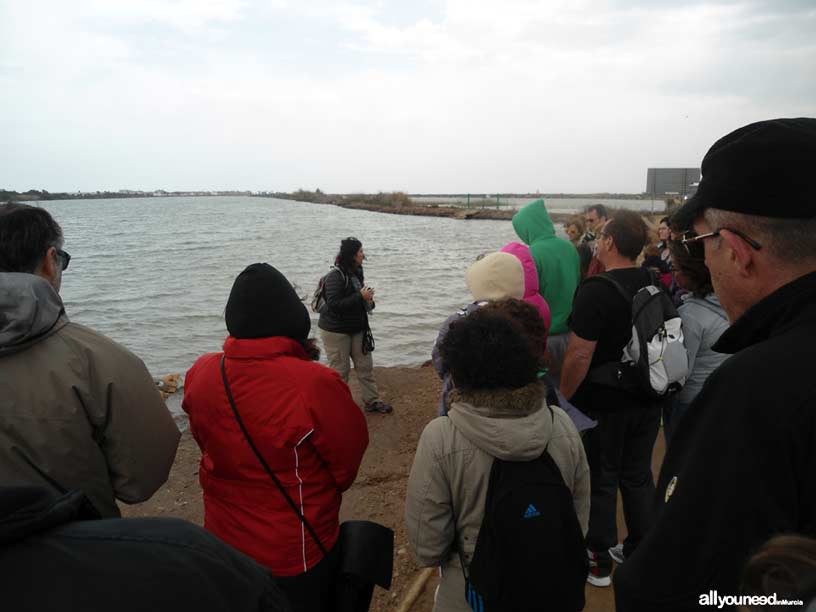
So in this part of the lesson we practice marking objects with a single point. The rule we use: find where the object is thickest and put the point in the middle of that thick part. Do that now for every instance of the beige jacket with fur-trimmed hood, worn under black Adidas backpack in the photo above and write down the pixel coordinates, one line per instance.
(451, 469)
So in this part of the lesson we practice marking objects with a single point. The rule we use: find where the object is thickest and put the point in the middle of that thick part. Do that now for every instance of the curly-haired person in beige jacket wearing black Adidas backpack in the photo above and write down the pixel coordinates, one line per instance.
(497, 410)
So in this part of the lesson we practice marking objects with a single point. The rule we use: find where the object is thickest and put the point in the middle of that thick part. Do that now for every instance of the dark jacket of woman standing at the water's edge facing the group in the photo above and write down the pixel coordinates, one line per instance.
(345, 309)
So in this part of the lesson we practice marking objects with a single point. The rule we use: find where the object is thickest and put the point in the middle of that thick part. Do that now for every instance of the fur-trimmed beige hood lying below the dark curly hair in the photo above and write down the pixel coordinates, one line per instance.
(511, 424)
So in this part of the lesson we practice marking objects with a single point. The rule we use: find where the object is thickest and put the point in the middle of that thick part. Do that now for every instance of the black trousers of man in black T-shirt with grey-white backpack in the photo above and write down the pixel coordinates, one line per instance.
(619, 452)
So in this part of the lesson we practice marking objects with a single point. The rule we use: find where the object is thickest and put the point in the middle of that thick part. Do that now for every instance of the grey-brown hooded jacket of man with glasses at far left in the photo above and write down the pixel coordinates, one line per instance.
(77, 410)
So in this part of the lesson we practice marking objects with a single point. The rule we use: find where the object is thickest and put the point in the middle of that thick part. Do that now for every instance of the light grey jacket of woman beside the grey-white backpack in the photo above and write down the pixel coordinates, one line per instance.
(704, 320)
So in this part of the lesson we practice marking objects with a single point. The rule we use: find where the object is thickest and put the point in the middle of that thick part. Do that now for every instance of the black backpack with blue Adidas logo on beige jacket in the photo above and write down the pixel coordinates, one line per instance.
(530, 553)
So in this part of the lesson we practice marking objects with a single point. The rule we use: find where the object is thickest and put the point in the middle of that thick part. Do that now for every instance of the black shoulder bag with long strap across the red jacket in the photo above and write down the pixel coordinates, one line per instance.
(366, 549)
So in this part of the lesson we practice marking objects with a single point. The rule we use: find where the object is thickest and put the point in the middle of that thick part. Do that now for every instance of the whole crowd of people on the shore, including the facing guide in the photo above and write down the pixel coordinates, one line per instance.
(281, 437)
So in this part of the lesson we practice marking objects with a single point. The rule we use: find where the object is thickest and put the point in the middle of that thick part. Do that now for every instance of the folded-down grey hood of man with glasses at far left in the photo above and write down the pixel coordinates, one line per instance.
(30, 310)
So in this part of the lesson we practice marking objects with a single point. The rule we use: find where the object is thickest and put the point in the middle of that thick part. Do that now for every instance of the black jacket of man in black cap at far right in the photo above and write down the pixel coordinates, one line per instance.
(741, 465)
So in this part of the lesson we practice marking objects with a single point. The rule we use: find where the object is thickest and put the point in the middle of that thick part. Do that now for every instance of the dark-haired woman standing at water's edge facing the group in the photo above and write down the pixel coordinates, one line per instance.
(343, 321)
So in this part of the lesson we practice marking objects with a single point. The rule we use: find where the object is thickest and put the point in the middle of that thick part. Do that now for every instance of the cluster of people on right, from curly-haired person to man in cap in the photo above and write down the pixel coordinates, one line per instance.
(741, 433)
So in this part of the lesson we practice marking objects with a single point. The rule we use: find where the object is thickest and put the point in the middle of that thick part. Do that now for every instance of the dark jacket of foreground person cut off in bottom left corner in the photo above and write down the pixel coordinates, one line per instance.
(157, 564)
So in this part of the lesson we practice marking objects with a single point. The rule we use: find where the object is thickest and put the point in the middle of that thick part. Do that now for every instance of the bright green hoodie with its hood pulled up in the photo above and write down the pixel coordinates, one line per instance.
(559, 268)
